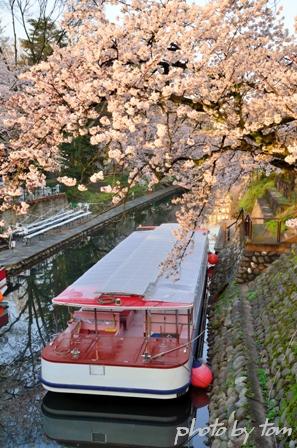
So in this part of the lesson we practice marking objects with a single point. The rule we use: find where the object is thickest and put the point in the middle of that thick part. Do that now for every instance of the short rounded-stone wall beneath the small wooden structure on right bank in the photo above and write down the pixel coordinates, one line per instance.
(252, 263)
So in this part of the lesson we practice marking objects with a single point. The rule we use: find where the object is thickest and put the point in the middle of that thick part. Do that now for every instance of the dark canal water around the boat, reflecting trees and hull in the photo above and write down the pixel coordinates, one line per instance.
(32, 418)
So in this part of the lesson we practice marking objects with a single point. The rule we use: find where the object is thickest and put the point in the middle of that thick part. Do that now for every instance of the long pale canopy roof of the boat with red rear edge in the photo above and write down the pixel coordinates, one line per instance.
(129, 275)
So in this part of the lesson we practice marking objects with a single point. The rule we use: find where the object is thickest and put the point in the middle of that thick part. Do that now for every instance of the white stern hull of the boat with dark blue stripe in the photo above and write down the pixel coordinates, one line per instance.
(164, 383)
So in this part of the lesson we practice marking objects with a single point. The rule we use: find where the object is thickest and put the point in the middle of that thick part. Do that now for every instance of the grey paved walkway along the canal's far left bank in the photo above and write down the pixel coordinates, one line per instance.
(16, 260)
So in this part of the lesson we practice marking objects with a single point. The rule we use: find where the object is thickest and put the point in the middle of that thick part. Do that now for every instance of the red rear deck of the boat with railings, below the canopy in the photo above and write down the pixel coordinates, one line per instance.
(120, 341)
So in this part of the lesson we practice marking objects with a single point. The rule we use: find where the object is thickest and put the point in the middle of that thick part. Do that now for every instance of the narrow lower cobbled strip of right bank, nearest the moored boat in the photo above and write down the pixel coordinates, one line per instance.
(227, 355)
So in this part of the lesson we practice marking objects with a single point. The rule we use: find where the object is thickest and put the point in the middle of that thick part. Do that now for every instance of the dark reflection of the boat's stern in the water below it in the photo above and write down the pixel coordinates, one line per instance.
(121, 422)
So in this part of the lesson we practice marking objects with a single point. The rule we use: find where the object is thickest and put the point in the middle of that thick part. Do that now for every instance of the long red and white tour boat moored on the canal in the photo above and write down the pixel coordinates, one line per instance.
(135, 327)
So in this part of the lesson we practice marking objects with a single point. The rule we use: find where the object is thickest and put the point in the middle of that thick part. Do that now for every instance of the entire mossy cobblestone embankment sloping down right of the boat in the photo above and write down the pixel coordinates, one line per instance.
(253, 354)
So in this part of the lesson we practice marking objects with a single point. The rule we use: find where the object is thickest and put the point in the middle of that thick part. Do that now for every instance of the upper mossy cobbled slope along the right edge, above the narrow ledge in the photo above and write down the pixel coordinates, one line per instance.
(273, 297)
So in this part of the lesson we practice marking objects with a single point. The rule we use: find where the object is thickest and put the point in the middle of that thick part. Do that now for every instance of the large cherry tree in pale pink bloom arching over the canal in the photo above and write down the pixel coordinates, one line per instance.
(200, 94)
